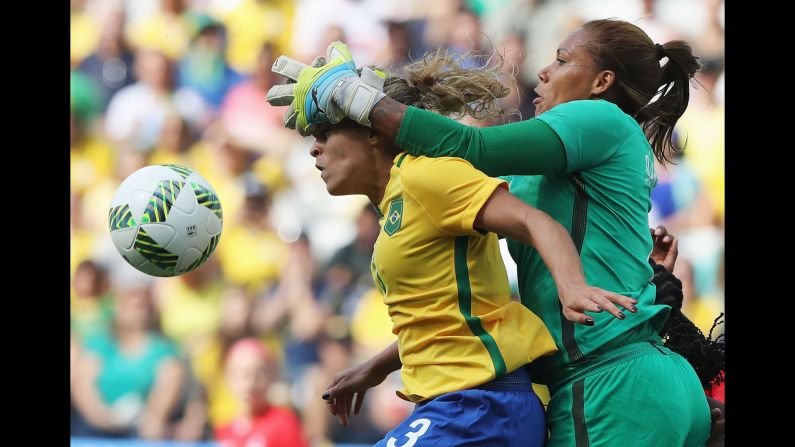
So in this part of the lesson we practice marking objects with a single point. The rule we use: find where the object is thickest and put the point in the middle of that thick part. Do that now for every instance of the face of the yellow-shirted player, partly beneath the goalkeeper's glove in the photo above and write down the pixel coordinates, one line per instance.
(344, 157)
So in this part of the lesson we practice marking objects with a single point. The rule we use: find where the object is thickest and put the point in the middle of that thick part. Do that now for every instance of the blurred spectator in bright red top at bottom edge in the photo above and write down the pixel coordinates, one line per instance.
(250, 371)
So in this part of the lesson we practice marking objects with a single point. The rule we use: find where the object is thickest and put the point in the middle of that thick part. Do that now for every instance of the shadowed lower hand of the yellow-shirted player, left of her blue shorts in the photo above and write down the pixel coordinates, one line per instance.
(353, 382)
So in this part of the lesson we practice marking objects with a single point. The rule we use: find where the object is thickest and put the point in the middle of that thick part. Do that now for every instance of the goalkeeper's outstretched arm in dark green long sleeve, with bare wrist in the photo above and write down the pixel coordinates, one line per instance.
(529, 147)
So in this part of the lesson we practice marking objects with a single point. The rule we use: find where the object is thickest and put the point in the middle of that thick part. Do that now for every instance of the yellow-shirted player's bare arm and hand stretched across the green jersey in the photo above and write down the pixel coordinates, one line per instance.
(506, 215)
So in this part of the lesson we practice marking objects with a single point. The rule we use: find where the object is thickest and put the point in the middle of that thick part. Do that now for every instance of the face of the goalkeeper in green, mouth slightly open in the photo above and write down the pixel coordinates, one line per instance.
(569, 77)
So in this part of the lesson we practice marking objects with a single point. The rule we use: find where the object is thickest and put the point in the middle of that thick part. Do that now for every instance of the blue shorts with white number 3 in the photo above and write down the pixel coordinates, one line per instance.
(503, 412)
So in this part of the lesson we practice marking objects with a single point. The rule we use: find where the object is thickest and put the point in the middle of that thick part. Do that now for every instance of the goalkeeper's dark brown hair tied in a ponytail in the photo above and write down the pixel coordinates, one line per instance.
(626, 50)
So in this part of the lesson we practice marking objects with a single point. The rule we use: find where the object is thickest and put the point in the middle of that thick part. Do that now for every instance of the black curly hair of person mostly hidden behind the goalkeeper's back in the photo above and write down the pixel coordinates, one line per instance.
(705, 355)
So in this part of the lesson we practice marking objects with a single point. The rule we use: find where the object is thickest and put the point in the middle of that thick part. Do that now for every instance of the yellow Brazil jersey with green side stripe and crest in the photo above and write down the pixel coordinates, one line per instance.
(444, 282)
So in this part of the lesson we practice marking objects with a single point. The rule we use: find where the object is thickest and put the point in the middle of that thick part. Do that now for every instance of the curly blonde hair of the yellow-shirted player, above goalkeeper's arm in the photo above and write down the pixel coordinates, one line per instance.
(439, 83)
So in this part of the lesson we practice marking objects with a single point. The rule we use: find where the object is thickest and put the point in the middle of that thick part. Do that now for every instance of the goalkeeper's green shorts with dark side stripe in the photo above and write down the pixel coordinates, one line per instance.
(642, 394)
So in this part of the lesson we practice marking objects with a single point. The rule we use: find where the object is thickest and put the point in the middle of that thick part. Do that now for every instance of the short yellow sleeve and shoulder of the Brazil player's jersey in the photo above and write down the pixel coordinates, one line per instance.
(451, 191)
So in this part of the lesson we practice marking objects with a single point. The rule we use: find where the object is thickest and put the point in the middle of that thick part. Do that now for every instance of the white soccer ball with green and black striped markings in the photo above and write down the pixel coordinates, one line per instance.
(165, 220)
